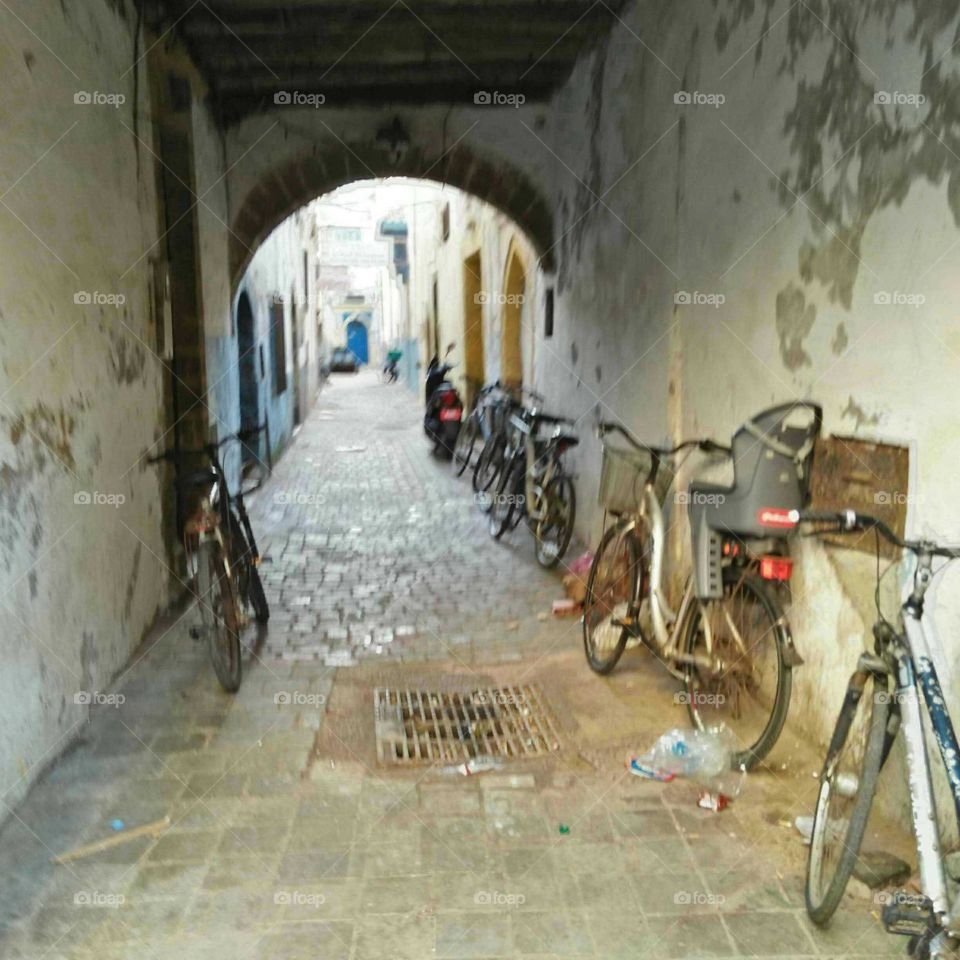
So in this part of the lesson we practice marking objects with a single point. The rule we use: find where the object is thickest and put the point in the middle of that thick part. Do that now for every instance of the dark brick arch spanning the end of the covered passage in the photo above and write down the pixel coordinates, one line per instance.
(283, 190)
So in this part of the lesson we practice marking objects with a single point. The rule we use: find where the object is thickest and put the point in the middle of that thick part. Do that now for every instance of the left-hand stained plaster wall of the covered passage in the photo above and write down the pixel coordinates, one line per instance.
(81, 568)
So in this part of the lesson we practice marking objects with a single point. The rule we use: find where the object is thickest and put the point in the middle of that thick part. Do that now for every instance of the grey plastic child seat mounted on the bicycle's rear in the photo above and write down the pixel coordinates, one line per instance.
(770, 472)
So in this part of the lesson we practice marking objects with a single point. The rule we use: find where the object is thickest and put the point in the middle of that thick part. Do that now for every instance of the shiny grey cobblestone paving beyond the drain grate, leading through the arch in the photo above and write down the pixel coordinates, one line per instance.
(376, 550)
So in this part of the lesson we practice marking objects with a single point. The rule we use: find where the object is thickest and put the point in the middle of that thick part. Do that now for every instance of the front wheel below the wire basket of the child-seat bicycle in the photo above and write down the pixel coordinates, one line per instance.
(611, 586)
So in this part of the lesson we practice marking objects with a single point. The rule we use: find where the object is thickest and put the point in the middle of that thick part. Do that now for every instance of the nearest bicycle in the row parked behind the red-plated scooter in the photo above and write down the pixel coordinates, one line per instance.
(534, 485)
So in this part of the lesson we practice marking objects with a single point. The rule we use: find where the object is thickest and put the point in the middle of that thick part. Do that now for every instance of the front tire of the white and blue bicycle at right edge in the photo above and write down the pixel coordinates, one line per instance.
(822, 899)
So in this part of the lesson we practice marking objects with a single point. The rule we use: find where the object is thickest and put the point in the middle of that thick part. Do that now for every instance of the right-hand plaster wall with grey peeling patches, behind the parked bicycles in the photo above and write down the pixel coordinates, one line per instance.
(810, 228)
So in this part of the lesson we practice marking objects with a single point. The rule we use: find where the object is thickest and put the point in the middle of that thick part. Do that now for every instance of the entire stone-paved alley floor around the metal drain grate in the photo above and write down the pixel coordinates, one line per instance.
(285, 840)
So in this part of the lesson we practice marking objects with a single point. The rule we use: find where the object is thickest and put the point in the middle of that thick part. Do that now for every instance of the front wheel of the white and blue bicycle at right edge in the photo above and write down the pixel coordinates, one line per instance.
(847, 785)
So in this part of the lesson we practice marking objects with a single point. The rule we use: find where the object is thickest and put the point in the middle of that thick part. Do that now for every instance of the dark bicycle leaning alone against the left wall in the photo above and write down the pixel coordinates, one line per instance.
(222, 557)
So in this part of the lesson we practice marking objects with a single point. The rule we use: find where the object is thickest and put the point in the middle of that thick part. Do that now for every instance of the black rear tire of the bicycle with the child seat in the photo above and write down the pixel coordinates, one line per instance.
(777, 631)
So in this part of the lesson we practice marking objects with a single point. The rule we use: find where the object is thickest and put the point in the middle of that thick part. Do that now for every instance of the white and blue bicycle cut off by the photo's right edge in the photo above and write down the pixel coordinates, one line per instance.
(870, 718)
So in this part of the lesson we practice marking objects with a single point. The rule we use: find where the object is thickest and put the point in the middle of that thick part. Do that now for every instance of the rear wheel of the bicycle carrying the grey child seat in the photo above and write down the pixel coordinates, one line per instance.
(749, 688)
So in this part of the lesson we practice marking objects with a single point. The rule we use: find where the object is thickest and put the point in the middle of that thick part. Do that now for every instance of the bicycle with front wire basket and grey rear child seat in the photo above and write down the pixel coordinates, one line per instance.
(728, 643)
